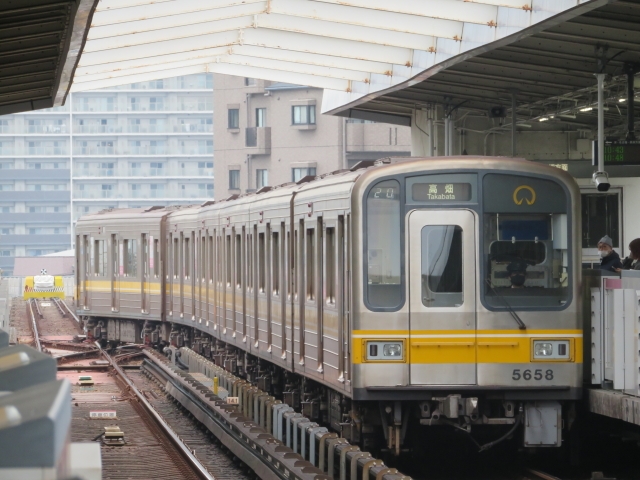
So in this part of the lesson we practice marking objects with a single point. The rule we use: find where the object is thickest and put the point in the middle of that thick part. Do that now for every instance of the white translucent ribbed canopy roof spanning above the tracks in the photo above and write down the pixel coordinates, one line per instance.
(350, 48)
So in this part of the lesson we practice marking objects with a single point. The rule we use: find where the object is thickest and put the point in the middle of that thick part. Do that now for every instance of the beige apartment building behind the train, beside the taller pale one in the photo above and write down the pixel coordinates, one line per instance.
(272, 133)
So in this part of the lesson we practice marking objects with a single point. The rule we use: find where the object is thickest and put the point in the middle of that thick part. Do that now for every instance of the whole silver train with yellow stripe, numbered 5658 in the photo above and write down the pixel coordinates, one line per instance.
(401, 294)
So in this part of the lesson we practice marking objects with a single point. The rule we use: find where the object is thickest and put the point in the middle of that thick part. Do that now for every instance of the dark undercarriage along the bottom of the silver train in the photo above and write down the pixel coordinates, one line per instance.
(387, 427)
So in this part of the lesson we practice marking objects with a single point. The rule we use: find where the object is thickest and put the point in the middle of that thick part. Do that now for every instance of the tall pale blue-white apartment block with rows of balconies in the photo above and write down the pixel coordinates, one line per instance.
(136, 145)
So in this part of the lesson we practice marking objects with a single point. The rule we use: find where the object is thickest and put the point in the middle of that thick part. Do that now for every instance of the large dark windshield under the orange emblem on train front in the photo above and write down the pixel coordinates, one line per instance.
(526, 247)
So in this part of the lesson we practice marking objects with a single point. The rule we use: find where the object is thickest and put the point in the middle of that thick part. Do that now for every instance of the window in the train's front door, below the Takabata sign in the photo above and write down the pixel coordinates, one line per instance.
(442, 266)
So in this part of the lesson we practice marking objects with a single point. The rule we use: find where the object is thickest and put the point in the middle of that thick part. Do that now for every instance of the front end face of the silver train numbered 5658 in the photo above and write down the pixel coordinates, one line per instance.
(466, 308)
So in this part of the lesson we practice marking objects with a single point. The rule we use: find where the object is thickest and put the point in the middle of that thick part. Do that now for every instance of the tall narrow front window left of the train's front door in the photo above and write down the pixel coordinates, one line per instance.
(384, 280)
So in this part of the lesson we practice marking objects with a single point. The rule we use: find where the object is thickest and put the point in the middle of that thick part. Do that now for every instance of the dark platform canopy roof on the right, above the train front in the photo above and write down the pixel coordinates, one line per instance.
(548, 67)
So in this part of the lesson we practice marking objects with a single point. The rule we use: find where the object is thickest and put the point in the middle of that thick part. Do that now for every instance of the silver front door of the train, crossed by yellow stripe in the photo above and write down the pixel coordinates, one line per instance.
(442, 297)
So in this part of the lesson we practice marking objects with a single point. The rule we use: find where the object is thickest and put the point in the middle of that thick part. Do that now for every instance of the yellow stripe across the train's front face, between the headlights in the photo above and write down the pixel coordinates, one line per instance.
(465, 346)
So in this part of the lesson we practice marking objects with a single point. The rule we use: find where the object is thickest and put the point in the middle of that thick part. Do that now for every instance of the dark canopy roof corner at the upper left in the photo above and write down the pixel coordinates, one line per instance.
(40, 42)
